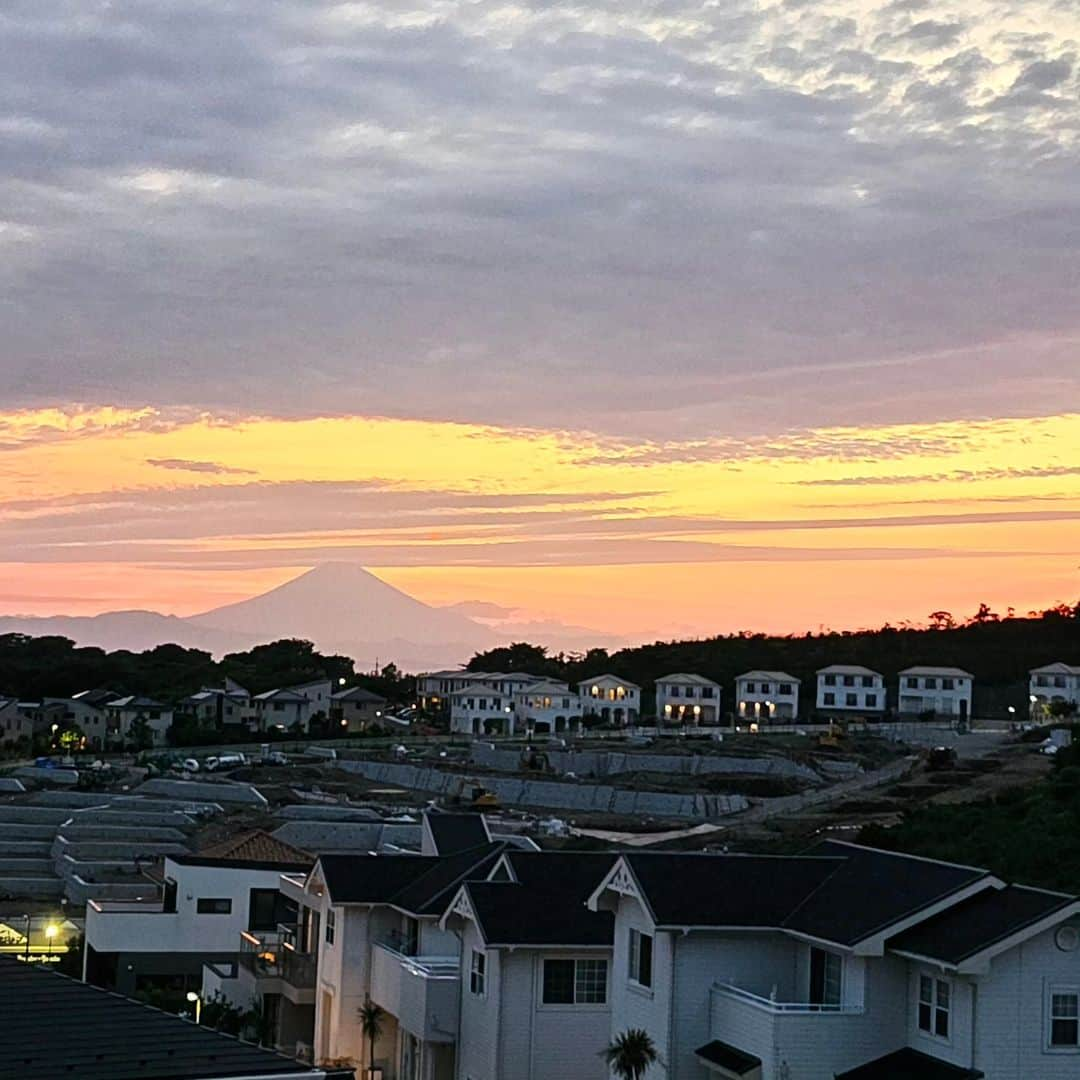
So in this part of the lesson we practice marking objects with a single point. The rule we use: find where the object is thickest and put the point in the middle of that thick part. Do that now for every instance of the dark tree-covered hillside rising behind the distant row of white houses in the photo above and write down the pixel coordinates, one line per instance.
(1000, 651)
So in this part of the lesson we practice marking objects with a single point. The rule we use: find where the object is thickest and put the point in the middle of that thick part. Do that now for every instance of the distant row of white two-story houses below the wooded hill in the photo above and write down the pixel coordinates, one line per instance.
(505, 704)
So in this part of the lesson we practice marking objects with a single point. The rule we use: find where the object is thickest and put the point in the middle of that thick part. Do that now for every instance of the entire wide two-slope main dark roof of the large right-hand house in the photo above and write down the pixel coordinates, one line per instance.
(839, 893)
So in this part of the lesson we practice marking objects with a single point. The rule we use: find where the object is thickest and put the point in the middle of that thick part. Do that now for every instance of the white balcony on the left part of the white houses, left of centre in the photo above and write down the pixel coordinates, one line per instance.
(423, 992)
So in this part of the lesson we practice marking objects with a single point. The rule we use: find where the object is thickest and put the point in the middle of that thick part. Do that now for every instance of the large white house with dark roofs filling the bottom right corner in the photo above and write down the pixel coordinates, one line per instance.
(846, 964)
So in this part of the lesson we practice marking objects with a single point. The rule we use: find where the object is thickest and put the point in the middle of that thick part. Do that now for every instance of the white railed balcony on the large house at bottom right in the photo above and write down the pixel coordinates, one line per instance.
(813, 1041)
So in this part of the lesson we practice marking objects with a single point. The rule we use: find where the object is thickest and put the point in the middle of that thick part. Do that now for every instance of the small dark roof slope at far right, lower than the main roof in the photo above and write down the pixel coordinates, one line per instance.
(980, 923)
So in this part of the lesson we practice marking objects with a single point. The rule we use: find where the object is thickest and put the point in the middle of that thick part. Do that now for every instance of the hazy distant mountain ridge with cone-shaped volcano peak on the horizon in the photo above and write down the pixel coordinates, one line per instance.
(340, 606)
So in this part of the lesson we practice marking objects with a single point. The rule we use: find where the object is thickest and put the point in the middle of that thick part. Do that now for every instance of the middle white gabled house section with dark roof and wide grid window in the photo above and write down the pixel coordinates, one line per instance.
(535, 969)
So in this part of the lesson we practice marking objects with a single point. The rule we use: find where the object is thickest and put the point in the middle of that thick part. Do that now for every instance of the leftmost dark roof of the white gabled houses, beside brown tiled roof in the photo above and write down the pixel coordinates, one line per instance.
(417, 884)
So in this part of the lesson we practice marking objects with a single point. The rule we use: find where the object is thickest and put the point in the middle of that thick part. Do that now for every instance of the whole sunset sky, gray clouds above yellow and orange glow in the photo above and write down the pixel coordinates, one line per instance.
(658, 317)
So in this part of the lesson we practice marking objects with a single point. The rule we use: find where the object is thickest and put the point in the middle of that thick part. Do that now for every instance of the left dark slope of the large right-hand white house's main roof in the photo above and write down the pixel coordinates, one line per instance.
(709, 890)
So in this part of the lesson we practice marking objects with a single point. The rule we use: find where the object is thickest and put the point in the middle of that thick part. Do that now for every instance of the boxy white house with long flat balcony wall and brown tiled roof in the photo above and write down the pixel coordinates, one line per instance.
(207, 901)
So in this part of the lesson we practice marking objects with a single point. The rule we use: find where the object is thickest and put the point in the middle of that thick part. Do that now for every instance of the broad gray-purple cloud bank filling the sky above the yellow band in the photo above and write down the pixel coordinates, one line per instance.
(615, 215)
